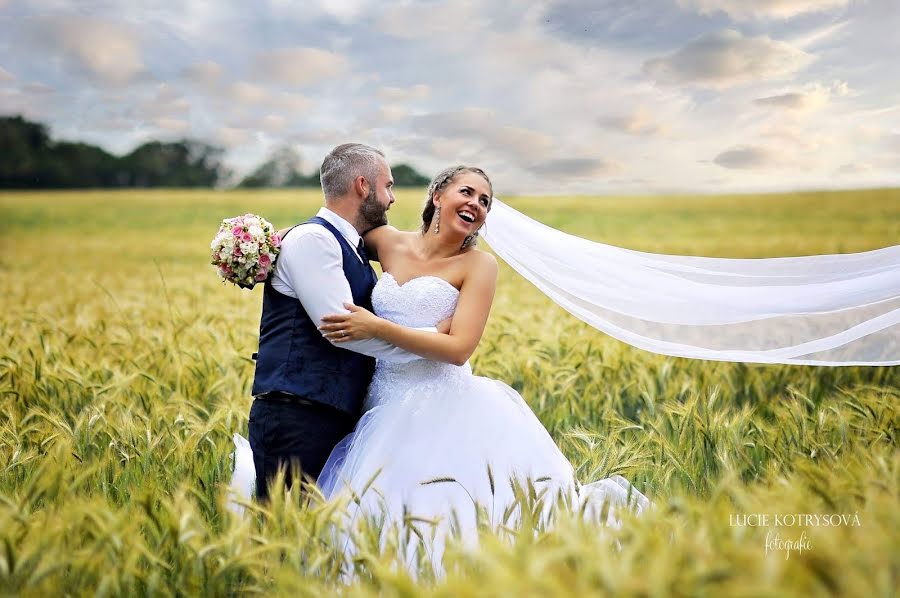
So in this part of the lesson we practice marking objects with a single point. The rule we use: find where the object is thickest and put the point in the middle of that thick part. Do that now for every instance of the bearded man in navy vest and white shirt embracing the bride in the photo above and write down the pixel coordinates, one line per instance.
(309, 392)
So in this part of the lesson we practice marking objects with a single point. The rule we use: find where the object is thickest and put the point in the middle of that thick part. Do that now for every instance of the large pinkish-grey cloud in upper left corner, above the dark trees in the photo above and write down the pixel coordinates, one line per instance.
(107, 52)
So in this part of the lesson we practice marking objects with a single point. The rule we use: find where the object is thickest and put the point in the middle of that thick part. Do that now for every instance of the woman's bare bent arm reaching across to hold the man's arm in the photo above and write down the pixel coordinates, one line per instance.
(466, 328)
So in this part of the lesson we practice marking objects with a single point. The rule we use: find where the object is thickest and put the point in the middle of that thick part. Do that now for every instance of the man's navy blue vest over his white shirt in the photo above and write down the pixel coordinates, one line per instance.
(293, 356)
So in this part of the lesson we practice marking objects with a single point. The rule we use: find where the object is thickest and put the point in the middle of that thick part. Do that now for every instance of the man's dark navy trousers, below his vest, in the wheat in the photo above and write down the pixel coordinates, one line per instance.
(293, 434)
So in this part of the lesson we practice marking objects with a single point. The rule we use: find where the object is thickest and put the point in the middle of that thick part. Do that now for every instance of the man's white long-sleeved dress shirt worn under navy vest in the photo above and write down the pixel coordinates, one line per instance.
(310, 268)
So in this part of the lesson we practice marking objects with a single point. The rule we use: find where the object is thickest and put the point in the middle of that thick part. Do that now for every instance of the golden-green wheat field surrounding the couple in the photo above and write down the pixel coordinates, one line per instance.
(126, 368)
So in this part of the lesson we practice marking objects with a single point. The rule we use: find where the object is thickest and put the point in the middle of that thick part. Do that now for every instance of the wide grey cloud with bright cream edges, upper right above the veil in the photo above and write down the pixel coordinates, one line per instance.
(727, 58)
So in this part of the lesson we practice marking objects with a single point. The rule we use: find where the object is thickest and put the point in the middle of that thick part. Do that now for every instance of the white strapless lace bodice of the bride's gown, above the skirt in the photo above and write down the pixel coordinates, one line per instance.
(421, 302)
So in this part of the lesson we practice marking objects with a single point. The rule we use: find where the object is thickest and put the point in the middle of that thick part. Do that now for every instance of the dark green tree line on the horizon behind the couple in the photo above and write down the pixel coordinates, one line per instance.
(30, 159)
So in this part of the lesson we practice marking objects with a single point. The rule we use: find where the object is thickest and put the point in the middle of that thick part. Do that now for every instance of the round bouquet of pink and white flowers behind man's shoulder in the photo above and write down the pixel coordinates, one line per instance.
(244, 250)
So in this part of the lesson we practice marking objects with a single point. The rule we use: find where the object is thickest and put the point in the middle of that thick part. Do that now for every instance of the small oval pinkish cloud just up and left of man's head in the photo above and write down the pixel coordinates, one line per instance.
(300, 66)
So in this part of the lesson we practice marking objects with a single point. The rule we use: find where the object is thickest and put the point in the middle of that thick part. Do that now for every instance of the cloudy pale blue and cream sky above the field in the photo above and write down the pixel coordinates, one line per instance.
(568, 96)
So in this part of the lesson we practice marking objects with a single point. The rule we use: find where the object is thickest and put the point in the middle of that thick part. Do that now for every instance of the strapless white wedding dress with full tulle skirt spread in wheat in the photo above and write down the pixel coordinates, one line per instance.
(434, 439)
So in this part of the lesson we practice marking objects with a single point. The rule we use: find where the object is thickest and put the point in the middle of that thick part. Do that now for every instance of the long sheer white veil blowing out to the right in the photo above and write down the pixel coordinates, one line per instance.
(841, 309)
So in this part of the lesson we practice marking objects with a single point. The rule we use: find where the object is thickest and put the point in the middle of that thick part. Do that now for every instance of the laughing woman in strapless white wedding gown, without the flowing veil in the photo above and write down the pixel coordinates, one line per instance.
(435, 441)
